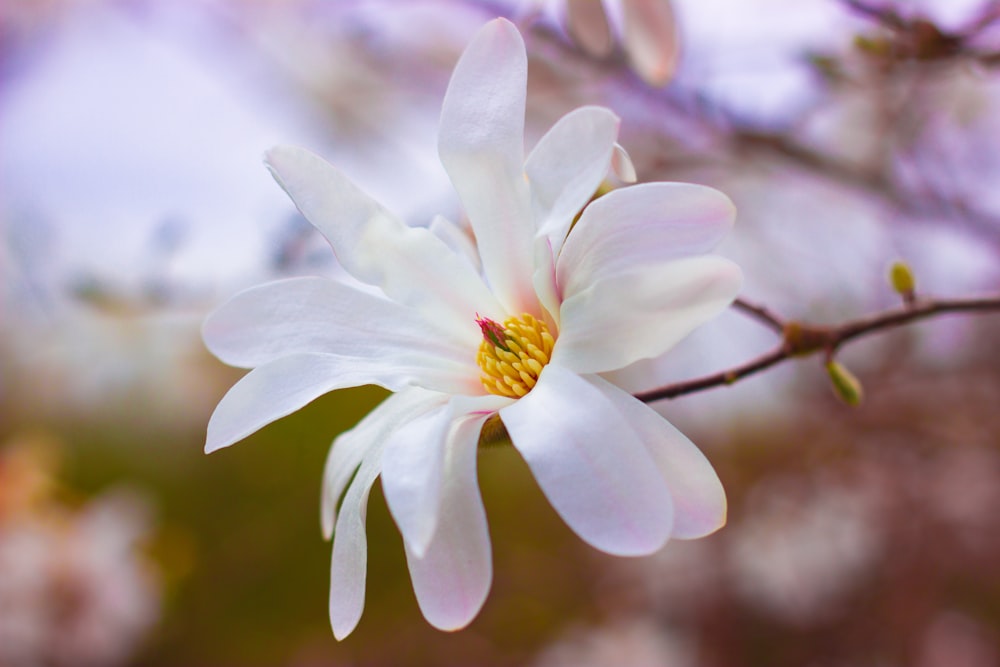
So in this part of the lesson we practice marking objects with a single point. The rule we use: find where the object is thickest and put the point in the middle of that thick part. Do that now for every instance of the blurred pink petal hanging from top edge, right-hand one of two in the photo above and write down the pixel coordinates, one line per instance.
(651, 39)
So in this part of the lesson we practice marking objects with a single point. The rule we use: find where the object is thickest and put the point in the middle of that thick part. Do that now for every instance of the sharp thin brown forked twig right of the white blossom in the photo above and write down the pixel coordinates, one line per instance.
(800, 339)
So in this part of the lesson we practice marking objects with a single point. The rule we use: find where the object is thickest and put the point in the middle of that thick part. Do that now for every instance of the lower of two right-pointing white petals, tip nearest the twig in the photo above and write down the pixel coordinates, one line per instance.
(642, 313)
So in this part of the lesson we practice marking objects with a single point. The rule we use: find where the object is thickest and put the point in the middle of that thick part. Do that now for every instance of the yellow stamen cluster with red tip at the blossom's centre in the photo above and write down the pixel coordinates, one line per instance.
(512, 355)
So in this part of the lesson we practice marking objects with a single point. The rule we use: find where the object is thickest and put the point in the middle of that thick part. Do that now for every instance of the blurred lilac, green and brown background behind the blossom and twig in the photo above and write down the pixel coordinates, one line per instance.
(133, 200)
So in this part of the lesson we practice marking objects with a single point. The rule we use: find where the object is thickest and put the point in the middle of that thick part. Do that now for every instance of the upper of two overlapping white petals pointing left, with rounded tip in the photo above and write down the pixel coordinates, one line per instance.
(324, 316)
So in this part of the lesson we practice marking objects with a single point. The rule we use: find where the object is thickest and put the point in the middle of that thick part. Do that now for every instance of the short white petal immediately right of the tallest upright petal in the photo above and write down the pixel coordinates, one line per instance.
(567, 166)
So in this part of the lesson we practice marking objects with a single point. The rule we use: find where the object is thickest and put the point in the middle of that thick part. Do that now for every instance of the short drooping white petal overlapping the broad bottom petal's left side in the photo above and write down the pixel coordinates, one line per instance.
(414, 466)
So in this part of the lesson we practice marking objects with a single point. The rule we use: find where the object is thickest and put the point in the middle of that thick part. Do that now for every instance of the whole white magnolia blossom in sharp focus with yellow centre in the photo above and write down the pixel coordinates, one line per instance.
(522, 324)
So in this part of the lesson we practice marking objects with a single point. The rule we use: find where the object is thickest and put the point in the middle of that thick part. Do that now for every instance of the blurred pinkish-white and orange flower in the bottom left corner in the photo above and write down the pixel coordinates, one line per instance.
(75, 589)
